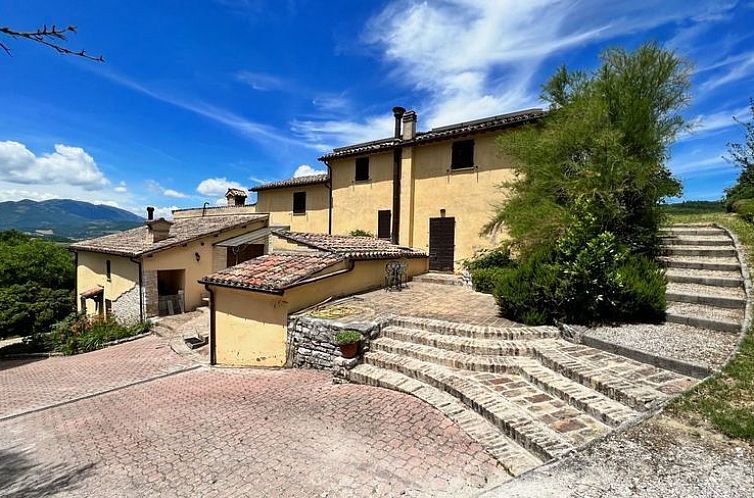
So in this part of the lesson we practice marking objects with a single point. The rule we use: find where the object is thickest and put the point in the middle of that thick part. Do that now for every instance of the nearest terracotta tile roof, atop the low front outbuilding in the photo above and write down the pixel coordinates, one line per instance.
(274, 272)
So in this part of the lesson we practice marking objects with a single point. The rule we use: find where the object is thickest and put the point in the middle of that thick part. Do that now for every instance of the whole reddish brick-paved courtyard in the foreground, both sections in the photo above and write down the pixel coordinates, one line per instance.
(221, 432)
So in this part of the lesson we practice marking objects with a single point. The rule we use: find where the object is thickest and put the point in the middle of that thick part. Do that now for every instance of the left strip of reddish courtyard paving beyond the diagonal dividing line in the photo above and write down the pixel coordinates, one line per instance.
(32, 384)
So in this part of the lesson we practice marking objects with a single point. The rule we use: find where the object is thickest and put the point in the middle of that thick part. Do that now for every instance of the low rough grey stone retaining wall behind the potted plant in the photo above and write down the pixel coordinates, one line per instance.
(311, 341)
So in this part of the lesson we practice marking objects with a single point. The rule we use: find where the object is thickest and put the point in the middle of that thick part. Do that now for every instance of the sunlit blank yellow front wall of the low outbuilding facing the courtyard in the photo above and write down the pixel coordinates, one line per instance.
(250, 328)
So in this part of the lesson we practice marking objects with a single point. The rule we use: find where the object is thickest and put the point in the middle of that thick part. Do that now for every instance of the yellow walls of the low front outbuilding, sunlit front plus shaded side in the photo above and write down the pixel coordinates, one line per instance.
(251, 327)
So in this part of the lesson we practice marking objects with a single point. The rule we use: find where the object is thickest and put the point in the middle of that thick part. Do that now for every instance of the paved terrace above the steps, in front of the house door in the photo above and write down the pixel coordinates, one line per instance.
(437, 301)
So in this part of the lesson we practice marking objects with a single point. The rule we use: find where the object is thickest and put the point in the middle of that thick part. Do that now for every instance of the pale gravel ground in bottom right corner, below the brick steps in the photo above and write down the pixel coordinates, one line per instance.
(660, 458)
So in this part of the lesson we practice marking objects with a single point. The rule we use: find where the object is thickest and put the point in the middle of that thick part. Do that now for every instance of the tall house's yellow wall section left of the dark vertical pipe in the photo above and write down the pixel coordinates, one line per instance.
(355, 204)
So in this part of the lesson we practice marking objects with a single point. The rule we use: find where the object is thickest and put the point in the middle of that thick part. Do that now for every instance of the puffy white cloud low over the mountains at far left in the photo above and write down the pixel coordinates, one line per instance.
(67, 165)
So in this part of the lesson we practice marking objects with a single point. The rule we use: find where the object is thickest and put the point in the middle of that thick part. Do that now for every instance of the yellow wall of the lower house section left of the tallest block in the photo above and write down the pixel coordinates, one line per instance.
(279, 203)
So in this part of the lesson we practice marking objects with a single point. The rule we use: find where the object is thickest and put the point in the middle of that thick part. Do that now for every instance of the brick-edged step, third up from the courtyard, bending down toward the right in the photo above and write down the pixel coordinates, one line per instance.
(583, 398)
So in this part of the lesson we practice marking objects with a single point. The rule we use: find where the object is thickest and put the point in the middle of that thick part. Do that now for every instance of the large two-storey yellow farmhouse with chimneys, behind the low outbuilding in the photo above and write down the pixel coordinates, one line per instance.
(431, 190)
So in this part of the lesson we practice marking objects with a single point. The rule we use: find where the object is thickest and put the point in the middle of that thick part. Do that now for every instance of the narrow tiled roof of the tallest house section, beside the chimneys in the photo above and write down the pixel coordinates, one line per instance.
(442, 133)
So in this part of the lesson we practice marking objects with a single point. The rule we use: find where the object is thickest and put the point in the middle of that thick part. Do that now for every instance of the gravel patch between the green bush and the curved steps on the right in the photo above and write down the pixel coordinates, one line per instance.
(671, 340)
